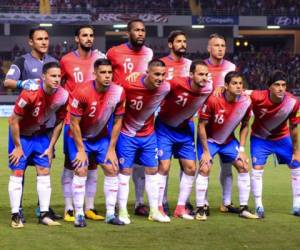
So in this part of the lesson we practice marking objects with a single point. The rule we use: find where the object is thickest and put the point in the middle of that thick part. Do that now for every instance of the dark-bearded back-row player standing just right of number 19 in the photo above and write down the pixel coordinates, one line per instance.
(177, 66)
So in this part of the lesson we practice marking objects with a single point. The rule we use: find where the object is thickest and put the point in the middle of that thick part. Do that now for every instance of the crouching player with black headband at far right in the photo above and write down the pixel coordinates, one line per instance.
(272, 109)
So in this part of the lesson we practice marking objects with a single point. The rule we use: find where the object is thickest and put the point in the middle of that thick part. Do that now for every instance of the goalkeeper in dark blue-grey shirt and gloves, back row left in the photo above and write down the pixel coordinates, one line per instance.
(26, 71)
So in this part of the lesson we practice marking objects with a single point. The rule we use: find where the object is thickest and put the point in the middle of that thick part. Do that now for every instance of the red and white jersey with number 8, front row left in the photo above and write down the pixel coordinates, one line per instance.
(40, 111)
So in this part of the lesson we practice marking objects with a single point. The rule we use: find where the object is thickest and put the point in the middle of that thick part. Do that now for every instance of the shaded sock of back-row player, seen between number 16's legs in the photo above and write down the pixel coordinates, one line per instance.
(226, 182)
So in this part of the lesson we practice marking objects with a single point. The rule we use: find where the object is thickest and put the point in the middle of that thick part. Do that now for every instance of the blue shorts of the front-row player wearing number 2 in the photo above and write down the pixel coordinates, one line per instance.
(94, 148)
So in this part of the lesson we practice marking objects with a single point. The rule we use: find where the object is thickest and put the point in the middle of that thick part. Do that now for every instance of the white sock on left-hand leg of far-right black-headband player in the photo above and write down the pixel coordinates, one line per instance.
(256, 186)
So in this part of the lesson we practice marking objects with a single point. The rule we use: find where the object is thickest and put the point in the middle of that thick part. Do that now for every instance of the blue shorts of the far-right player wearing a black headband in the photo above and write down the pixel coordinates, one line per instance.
(282, 148)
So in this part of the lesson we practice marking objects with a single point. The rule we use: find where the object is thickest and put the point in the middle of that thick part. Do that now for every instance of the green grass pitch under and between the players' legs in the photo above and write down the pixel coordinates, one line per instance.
(221, 231)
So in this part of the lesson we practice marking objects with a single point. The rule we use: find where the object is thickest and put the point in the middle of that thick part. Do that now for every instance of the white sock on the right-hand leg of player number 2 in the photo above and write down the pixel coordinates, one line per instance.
(111, 186)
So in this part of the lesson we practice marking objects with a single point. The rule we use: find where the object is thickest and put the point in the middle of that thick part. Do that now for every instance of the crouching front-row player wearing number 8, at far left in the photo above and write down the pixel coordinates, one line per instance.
(35, 126)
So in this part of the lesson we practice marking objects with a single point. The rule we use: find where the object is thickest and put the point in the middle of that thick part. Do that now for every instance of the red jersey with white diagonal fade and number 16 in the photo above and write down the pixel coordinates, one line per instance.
(223, 117)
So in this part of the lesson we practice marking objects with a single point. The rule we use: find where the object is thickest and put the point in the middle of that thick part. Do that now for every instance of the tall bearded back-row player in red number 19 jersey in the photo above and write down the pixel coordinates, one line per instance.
(129, 59)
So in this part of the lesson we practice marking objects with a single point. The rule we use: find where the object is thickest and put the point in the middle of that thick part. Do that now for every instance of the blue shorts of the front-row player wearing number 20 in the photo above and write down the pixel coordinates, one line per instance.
(142, 150)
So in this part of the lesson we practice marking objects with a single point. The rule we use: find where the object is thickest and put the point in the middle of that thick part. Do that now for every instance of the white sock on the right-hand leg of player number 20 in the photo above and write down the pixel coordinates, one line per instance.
(151, 186)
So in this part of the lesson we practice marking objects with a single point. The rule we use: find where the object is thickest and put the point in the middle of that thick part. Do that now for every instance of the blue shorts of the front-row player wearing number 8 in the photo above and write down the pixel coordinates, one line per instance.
(33, 147)
